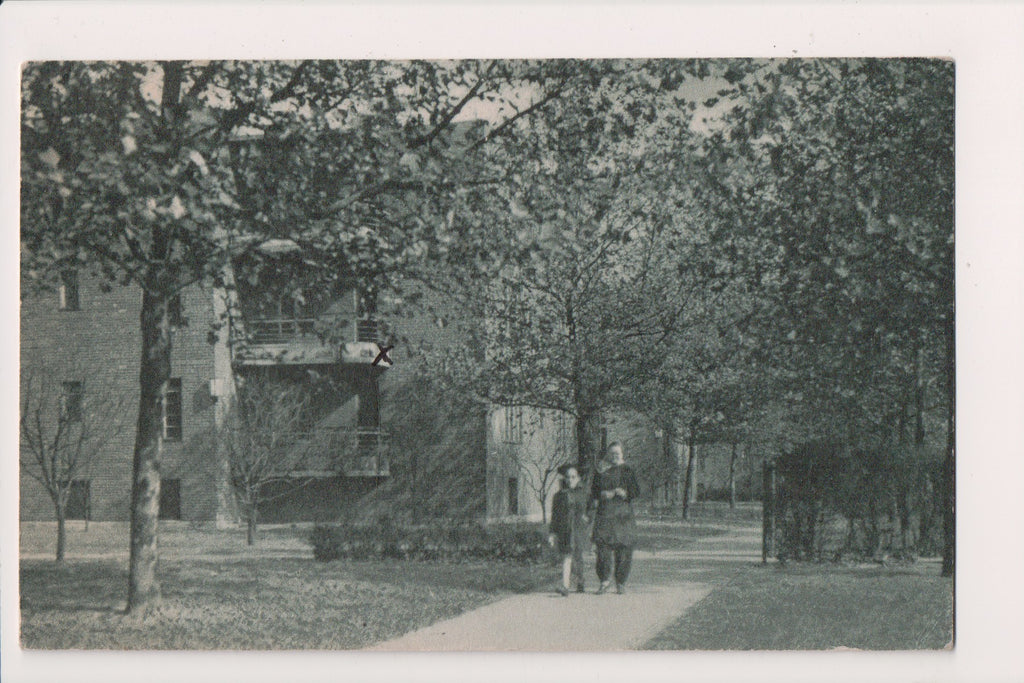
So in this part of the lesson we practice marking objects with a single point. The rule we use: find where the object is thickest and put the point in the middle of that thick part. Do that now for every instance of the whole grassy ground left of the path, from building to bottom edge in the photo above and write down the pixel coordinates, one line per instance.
(219, 594)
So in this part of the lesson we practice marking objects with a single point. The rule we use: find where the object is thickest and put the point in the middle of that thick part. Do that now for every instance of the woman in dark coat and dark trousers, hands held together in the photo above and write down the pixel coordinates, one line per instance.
(613, 492)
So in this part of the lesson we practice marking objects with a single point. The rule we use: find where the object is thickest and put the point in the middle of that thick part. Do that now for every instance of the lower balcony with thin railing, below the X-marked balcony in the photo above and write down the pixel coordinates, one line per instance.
(327, 453)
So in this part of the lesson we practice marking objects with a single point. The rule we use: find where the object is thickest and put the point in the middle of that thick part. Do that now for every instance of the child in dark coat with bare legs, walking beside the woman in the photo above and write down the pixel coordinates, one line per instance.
(569, 528)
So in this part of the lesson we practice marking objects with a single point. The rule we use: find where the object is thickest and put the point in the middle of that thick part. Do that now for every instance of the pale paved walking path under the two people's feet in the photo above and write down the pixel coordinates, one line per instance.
(663, 586)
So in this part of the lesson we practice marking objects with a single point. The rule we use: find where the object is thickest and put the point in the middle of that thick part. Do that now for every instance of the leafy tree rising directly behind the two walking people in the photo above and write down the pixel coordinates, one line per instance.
(583, 266)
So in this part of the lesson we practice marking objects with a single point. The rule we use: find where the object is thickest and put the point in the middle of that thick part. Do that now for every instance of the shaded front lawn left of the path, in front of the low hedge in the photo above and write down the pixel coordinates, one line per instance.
(255, 604)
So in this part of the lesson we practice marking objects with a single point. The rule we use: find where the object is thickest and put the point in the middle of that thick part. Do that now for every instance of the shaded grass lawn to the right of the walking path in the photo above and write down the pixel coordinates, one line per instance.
(820, 608)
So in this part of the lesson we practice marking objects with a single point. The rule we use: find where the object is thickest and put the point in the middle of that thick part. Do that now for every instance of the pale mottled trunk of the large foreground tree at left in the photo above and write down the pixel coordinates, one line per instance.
(144, 590)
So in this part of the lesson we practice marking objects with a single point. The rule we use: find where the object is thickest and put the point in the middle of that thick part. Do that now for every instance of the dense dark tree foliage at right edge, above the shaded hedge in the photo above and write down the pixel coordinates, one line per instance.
(839, 176)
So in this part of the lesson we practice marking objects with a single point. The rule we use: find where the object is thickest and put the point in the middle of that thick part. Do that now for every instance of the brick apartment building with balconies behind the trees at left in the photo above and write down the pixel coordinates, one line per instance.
(83, 338)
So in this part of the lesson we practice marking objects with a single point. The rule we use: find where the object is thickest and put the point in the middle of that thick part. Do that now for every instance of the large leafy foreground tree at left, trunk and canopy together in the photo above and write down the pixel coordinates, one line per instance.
(157, 175)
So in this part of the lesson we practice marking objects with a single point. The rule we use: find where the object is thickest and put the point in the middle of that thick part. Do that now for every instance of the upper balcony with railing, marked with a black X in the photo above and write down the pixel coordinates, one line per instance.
(294, 341)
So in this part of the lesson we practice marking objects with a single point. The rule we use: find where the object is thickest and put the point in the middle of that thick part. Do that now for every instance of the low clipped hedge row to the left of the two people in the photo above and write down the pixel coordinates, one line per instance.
(435, 542)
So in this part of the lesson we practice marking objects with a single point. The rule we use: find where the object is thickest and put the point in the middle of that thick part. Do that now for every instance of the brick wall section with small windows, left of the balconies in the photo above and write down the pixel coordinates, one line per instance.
(100, 346)
